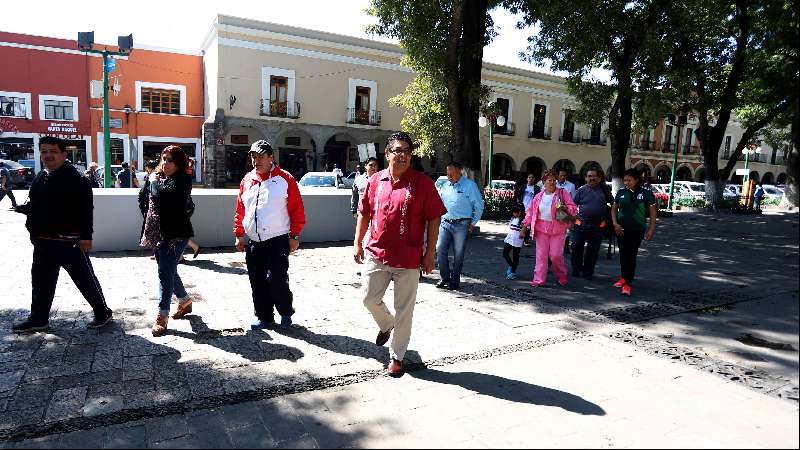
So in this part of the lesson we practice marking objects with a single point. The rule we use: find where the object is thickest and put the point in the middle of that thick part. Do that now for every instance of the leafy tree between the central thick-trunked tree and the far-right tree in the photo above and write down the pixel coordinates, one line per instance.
(624, 37)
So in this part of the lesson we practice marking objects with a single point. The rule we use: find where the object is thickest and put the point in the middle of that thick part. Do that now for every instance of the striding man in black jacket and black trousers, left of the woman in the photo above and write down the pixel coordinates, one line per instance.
(59, 210)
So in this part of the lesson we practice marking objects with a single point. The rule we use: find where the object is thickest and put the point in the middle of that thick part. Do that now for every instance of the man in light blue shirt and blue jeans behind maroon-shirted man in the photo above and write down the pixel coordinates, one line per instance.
(464, 204)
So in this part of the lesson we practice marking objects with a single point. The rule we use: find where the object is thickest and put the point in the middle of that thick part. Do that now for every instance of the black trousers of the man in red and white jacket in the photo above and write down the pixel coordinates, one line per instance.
(268, 267)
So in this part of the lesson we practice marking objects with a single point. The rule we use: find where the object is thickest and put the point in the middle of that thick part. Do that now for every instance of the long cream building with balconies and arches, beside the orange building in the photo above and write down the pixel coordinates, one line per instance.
(319, 97)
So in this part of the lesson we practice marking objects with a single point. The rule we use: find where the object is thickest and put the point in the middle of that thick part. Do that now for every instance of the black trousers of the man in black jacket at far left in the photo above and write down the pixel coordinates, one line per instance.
(49, 257)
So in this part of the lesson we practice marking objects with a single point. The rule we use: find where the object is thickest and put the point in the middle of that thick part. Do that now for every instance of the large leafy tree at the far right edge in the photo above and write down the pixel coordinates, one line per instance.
(734, 59)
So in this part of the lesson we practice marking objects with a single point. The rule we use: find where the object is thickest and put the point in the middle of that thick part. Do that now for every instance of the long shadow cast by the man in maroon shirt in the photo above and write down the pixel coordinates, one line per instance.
(511, 390)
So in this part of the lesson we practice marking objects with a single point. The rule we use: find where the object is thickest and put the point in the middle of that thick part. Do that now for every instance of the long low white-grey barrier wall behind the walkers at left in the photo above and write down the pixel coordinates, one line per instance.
(118, 222)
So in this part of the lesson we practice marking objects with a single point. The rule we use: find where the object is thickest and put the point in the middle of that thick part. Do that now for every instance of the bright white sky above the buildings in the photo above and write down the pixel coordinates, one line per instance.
(182, 24)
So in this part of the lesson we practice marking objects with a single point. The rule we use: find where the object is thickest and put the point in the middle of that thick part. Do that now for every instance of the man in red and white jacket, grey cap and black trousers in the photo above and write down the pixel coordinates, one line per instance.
(269, 210)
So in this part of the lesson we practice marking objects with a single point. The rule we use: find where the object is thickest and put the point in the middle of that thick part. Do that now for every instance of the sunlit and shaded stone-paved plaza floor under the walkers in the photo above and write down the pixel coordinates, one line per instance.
(705, 353)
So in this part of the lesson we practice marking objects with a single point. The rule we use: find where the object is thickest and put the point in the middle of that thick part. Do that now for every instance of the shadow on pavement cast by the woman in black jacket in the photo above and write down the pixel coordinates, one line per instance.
(251, 345)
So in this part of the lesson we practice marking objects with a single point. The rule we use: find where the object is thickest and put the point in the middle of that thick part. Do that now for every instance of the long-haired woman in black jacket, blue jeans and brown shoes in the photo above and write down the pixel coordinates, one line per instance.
(167, 230)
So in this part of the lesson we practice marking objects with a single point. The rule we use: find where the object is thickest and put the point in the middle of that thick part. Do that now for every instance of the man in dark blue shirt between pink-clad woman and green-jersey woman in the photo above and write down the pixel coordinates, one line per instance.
(591, 200)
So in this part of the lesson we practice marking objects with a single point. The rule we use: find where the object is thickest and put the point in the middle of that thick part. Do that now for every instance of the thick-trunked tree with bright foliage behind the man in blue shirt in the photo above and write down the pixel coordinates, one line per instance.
(444, 42)
